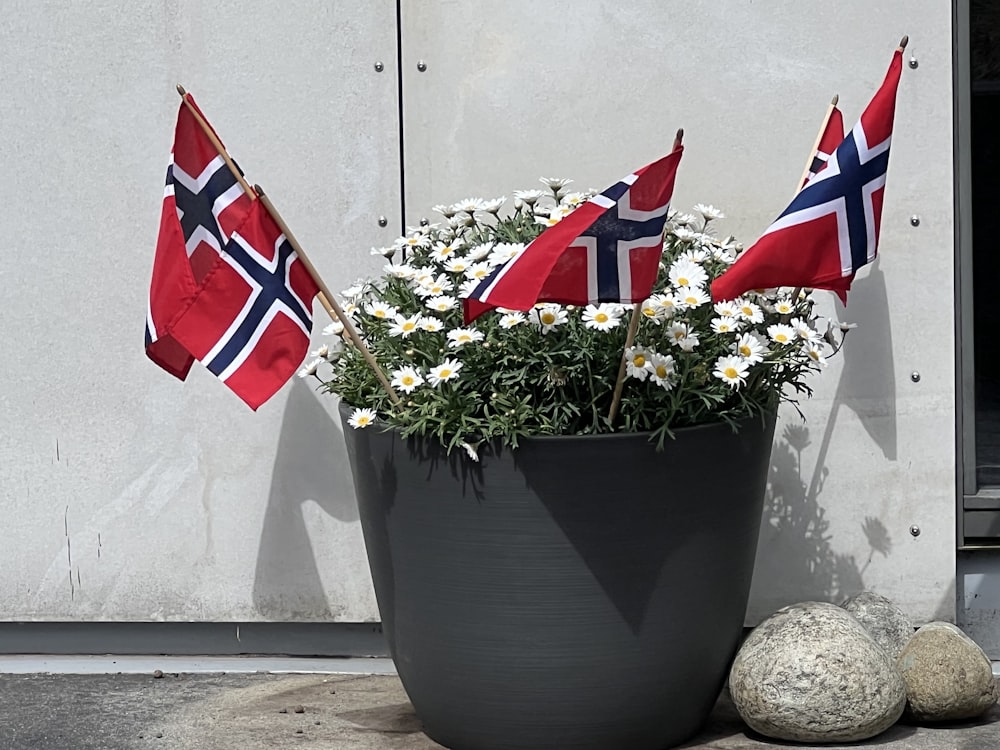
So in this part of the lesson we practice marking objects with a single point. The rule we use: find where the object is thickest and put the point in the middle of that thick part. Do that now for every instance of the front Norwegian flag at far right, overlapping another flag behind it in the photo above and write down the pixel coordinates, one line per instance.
(831, 227)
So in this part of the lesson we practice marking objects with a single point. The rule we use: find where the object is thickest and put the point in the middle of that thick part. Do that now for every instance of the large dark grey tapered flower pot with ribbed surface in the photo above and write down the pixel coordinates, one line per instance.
(574, 593)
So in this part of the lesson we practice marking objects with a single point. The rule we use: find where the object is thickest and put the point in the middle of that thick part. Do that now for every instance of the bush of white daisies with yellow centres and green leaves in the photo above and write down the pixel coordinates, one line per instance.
(553, 370)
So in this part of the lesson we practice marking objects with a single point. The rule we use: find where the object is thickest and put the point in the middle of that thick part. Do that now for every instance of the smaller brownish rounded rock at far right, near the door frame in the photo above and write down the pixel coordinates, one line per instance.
(948, 676)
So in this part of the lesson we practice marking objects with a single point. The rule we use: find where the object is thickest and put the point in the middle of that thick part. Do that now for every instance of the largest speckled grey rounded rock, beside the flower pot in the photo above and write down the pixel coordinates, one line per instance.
(812, 673)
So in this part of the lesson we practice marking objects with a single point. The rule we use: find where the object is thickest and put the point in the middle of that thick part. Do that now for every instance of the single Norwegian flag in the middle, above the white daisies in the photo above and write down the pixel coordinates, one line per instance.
(607, 250)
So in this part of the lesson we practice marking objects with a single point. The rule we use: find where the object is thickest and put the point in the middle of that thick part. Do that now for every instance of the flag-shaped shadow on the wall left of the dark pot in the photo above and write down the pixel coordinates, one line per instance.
(310, 466)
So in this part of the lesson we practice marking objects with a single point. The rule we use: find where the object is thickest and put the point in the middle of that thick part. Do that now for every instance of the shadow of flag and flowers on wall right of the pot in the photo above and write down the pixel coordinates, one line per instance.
(796, 560)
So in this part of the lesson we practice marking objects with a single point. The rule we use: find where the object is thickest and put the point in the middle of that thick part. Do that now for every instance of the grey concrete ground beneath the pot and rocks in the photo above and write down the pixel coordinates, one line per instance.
(248, 711)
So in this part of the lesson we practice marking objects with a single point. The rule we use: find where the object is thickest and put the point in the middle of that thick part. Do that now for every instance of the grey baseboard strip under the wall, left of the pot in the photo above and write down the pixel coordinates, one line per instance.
(194, 638)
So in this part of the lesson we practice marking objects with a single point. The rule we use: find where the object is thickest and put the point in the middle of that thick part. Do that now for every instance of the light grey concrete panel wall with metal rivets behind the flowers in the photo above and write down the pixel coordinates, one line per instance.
(125, 495)
